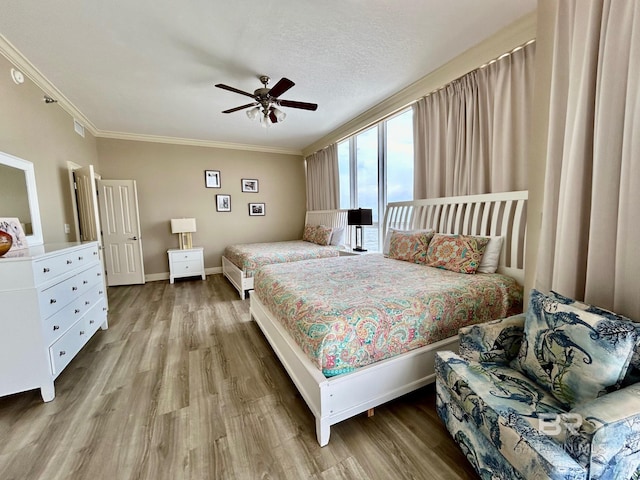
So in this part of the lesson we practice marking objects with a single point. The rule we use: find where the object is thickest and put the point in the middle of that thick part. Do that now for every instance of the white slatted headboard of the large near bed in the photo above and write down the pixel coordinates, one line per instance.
(490, 214)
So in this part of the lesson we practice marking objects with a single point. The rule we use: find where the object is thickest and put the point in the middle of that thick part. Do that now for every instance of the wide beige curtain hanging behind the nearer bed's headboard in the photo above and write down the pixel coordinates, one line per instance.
(472, 135)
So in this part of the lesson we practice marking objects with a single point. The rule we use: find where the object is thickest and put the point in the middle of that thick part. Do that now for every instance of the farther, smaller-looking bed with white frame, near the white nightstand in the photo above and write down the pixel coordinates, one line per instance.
(239, 262)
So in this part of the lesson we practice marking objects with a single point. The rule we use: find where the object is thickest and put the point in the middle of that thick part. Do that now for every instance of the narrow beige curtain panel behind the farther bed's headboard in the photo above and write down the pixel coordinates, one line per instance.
(323, 181)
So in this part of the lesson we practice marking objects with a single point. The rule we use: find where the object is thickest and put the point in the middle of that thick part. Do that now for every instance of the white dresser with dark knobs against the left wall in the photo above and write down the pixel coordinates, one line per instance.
(53, 300)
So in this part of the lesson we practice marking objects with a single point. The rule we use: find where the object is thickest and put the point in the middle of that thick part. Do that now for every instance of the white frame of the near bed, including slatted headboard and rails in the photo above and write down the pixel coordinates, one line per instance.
(334, 399)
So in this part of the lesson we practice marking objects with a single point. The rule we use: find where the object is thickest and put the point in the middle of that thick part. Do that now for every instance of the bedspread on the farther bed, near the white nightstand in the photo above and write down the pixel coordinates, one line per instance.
(249, 256)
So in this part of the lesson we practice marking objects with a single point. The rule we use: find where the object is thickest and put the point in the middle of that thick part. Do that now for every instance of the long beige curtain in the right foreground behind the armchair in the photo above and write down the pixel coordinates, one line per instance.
(591, 213)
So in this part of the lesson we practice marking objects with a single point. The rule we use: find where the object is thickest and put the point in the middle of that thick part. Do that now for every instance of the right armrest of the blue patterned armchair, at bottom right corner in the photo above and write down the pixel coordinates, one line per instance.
(608, 438)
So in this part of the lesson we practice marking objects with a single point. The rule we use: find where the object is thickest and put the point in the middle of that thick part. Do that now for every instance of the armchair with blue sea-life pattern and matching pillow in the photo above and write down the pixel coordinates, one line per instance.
(553, 393)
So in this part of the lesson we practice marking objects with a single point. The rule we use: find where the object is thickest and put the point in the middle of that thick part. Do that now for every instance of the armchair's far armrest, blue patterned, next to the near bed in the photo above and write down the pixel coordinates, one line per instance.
(495, 341)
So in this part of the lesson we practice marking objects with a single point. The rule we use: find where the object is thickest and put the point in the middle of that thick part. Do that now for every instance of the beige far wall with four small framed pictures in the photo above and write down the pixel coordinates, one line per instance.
(170, 183)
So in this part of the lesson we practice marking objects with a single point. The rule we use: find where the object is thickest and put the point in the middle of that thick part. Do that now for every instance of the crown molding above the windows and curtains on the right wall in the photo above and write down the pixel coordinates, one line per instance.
(513, 35)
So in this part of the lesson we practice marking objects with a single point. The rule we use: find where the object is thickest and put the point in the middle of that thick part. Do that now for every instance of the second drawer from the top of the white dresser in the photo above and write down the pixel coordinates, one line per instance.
(56, 297)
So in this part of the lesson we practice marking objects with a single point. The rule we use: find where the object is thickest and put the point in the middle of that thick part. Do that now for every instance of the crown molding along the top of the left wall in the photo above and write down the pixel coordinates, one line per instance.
(11, 53)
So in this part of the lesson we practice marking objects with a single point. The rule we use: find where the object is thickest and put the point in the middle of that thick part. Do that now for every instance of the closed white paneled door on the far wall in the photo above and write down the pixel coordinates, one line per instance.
(118, 201)
